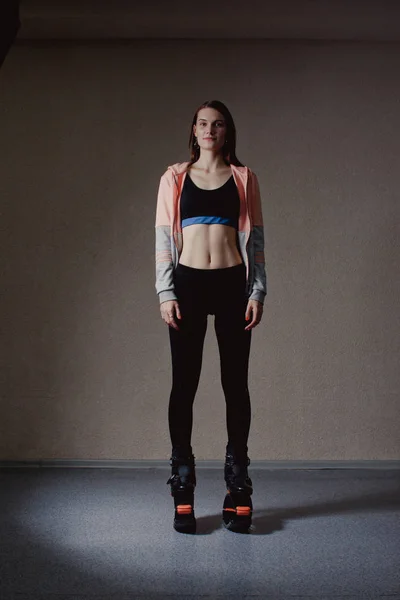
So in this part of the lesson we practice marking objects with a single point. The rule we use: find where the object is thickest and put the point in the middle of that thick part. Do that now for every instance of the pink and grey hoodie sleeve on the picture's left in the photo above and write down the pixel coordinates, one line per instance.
(163, 250)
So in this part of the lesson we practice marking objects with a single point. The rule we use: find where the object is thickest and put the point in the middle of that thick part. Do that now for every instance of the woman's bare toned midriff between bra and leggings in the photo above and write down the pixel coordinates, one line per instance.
(209, 247)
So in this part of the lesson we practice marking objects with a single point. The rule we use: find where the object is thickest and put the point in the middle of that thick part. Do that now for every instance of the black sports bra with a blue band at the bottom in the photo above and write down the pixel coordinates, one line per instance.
(221, 205)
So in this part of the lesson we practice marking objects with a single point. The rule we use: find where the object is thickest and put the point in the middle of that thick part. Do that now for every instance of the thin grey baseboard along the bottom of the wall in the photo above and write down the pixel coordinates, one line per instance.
(201, 464)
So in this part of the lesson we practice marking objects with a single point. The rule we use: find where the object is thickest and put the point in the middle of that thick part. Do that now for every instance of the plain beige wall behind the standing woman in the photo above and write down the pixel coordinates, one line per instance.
(86, 132)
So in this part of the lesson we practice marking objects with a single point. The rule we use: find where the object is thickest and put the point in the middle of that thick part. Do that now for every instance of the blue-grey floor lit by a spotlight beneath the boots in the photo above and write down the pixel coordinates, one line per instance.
(107, 533)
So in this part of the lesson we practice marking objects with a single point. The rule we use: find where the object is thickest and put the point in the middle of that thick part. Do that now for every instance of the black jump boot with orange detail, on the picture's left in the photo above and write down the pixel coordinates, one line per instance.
(183, 482)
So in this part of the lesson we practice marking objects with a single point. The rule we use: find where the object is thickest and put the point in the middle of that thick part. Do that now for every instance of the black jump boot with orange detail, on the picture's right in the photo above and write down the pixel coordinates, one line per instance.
(238, 507)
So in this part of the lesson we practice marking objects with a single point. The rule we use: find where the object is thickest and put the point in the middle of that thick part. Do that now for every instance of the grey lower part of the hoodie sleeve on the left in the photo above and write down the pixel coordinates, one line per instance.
(164, 264)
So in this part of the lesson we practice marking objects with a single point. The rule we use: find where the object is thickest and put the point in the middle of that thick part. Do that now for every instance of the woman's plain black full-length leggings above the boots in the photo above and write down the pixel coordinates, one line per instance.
(219, 292)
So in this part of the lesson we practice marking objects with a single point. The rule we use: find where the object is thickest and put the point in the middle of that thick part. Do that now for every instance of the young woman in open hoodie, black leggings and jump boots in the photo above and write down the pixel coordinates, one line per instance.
(210, 260)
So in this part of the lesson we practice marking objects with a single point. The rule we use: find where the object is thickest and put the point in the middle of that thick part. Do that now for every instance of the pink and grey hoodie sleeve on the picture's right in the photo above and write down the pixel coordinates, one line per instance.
(259, 289)
